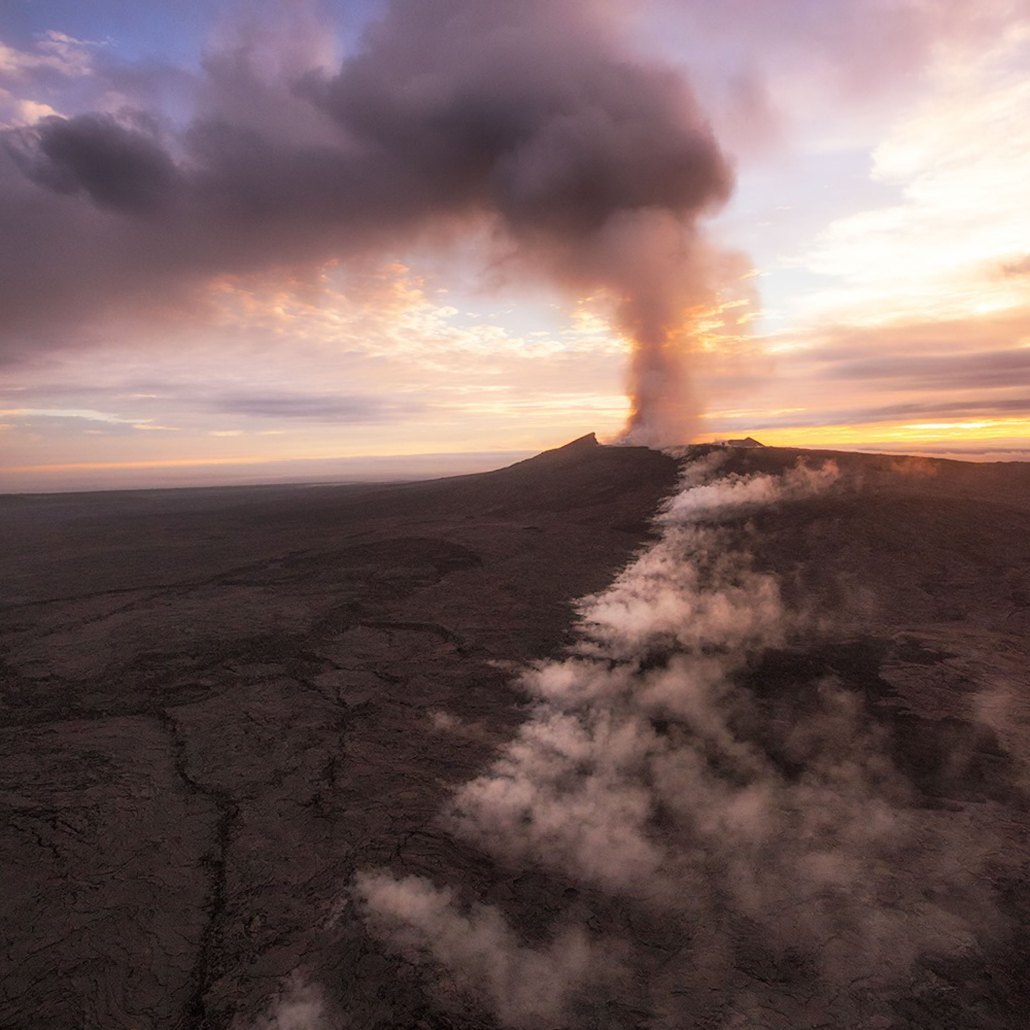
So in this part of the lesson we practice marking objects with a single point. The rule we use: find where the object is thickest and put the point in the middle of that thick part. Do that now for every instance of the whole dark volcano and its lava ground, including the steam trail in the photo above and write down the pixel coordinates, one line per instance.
(225, 708)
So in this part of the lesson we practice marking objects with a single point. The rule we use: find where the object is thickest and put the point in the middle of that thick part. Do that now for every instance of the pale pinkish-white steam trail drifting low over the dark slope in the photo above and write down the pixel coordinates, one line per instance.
(722, 850)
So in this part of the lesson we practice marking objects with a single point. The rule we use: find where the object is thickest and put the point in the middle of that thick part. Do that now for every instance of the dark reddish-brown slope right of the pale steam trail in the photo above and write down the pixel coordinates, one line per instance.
(910, 582)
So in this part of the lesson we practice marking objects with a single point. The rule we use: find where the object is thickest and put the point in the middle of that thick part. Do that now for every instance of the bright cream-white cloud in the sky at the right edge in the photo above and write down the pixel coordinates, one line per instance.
(956, 161)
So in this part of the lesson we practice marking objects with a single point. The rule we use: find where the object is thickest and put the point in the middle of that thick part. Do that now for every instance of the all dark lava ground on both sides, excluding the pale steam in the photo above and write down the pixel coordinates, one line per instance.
(219, 706)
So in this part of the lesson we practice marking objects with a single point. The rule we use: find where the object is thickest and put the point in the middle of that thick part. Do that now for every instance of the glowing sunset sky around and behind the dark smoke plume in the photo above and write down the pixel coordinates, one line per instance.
(882, 299)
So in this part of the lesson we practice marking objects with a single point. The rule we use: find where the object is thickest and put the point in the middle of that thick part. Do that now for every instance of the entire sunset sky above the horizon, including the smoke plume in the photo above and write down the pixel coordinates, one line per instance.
(291, 242)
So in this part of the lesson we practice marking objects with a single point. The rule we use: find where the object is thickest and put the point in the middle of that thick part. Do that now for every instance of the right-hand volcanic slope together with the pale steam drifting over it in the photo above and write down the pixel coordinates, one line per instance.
(778, 780)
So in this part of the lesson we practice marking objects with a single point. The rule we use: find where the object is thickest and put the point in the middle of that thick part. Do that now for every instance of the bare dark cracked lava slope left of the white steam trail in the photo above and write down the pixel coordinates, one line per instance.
(218, 704)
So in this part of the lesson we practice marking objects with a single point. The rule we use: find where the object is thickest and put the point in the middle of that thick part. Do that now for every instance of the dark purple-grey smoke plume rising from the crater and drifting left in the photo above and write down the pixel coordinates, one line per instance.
(592, 165)
